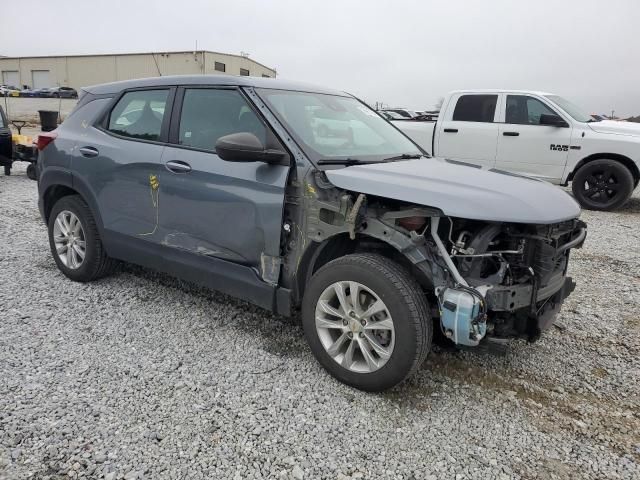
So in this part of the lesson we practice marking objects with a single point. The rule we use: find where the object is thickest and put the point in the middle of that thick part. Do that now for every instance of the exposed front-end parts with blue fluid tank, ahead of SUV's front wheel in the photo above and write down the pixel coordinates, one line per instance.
(519, 271)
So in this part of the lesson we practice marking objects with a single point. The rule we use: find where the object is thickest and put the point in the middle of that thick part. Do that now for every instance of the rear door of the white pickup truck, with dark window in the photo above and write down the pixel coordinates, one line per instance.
(469, 131)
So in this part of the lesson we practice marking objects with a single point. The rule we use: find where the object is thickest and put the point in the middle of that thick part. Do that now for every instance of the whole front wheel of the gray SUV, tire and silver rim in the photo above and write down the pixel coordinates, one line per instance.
(367, 321)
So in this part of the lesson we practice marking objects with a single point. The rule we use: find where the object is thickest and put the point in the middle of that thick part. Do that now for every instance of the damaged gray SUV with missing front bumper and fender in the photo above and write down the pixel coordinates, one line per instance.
(304, 200)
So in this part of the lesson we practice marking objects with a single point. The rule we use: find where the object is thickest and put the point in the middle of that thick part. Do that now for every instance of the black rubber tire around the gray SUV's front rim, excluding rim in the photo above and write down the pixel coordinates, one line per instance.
(406, 303)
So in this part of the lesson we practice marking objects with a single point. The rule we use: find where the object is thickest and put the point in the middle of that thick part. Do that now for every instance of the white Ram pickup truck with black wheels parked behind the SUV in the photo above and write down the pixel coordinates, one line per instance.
(536, 134)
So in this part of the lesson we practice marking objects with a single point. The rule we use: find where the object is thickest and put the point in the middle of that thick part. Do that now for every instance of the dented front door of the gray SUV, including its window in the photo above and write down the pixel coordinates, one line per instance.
(227, 210)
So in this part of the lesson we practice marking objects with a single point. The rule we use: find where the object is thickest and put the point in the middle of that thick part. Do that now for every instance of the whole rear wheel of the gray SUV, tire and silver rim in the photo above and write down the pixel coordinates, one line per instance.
(75, 241)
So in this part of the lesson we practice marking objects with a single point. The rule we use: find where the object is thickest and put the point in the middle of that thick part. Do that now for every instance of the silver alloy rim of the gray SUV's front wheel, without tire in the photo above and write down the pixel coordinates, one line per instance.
(355, 327)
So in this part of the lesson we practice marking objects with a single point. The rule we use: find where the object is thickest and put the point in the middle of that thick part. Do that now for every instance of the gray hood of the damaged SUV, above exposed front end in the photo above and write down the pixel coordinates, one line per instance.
(461, 190)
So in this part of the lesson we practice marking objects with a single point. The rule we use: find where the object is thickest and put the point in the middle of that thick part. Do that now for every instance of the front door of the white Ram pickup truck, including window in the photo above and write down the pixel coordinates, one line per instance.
(525, 146)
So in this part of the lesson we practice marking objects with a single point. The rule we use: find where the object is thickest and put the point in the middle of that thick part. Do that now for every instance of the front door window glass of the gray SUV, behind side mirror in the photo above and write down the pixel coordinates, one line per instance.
(209, 113)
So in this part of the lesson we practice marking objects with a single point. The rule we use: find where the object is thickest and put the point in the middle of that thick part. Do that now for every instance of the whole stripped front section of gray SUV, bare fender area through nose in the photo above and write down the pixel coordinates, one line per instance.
(489, 279)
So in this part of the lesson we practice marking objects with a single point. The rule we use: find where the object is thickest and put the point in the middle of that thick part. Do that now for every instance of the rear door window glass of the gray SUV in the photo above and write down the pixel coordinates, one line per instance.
(139, 114)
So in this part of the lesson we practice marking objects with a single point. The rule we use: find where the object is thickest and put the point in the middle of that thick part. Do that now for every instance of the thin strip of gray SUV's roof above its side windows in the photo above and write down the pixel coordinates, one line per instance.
(224, 80)
